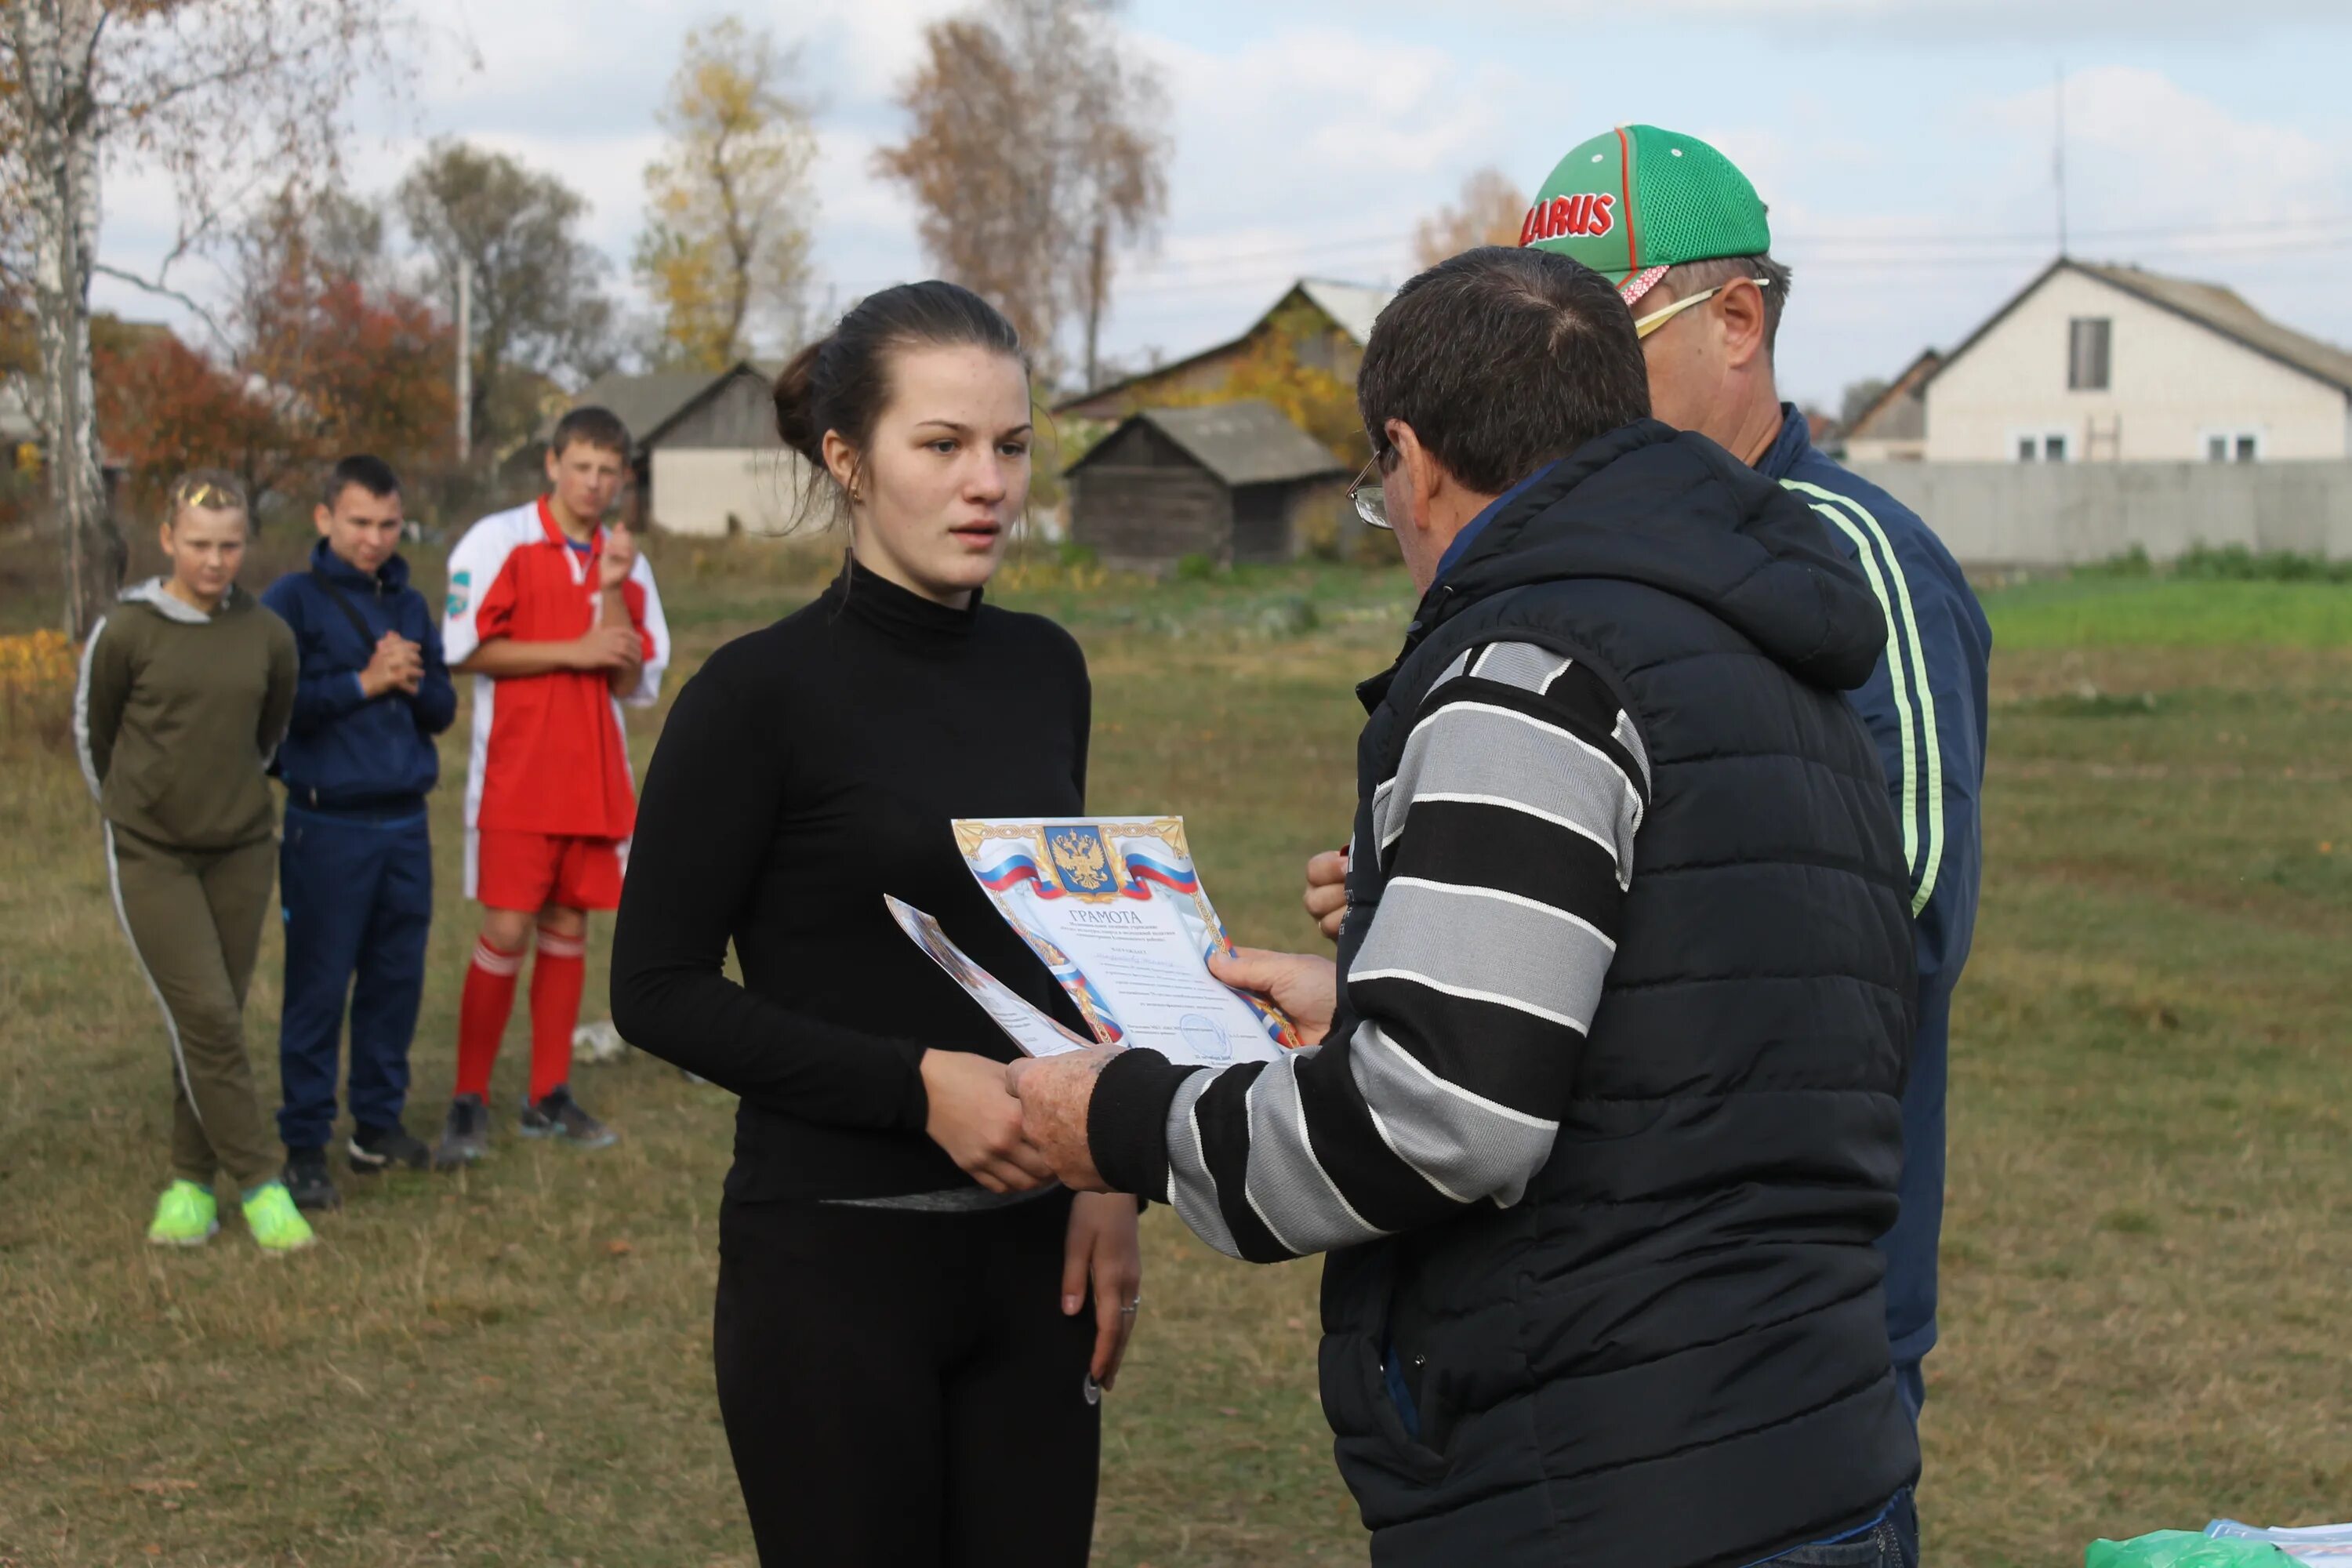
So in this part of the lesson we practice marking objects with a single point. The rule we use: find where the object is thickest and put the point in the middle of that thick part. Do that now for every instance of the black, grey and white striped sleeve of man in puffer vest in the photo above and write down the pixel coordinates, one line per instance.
(1506, 852)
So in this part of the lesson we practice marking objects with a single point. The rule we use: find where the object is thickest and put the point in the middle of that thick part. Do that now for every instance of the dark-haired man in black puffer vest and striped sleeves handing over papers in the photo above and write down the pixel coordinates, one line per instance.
(1605, 1108)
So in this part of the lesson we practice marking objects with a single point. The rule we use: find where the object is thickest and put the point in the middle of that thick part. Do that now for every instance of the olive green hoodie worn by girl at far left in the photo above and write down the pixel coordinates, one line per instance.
(180, 713)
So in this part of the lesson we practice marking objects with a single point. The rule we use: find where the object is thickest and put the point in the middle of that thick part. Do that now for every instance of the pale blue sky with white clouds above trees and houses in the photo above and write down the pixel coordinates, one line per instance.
(1904, 145)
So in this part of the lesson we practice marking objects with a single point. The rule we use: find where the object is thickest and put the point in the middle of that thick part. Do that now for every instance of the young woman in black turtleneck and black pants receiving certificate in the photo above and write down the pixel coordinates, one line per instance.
(907, 1348)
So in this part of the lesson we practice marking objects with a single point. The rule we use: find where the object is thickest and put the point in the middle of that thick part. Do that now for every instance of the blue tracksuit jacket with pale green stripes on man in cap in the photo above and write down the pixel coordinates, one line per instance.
(1925, 706)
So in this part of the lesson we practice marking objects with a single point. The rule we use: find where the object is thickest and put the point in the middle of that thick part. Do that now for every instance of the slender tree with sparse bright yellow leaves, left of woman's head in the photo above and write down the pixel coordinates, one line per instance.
(726, 250)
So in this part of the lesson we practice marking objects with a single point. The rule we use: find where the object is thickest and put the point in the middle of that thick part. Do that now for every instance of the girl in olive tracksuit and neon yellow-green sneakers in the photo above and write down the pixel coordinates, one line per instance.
(185, 695)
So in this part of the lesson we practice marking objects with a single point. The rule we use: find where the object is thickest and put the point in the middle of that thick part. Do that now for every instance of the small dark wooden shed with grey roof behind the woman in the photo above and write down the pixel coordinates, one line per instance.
(1227, 481)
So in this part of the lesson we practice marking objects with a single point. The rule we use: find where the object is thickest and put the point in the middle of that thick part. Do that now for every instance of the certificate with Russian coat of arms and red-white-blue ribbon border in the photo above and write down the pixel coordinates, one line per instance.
(1116, 911)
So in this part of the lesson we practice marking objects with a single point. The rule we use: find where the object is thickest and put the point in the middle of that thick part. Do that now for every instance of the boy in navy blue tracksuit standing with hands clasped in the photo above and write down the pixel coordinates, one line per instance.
(356, 869)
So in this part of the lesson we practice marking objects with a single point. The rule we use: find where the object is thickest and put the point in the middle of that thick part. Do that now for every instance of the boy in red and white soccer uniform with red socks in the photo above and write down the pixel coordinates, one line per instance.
(559, 622)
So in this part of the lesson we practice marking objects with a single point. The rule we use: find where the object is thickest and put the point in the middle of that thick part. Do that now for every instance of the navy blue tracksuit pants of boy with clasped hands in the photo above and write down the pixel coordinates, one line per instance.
(359, 904)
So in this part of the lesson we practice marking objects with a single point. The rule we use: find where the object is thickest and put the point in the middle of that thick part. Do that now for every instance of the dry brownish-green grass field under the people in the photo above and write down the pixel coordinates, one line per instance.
(2149, 1235)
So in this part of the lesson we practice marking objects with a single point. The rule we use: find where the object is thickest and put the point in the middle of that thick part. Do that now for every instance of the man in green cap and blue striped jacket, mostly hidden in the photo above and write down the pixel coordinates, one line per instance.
(1688, 243)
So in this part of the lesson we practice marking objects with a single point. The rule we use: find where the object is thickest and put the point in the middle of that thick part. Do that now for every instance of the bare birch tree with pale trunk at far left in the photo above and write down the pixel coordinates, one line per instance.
(222, 98)
